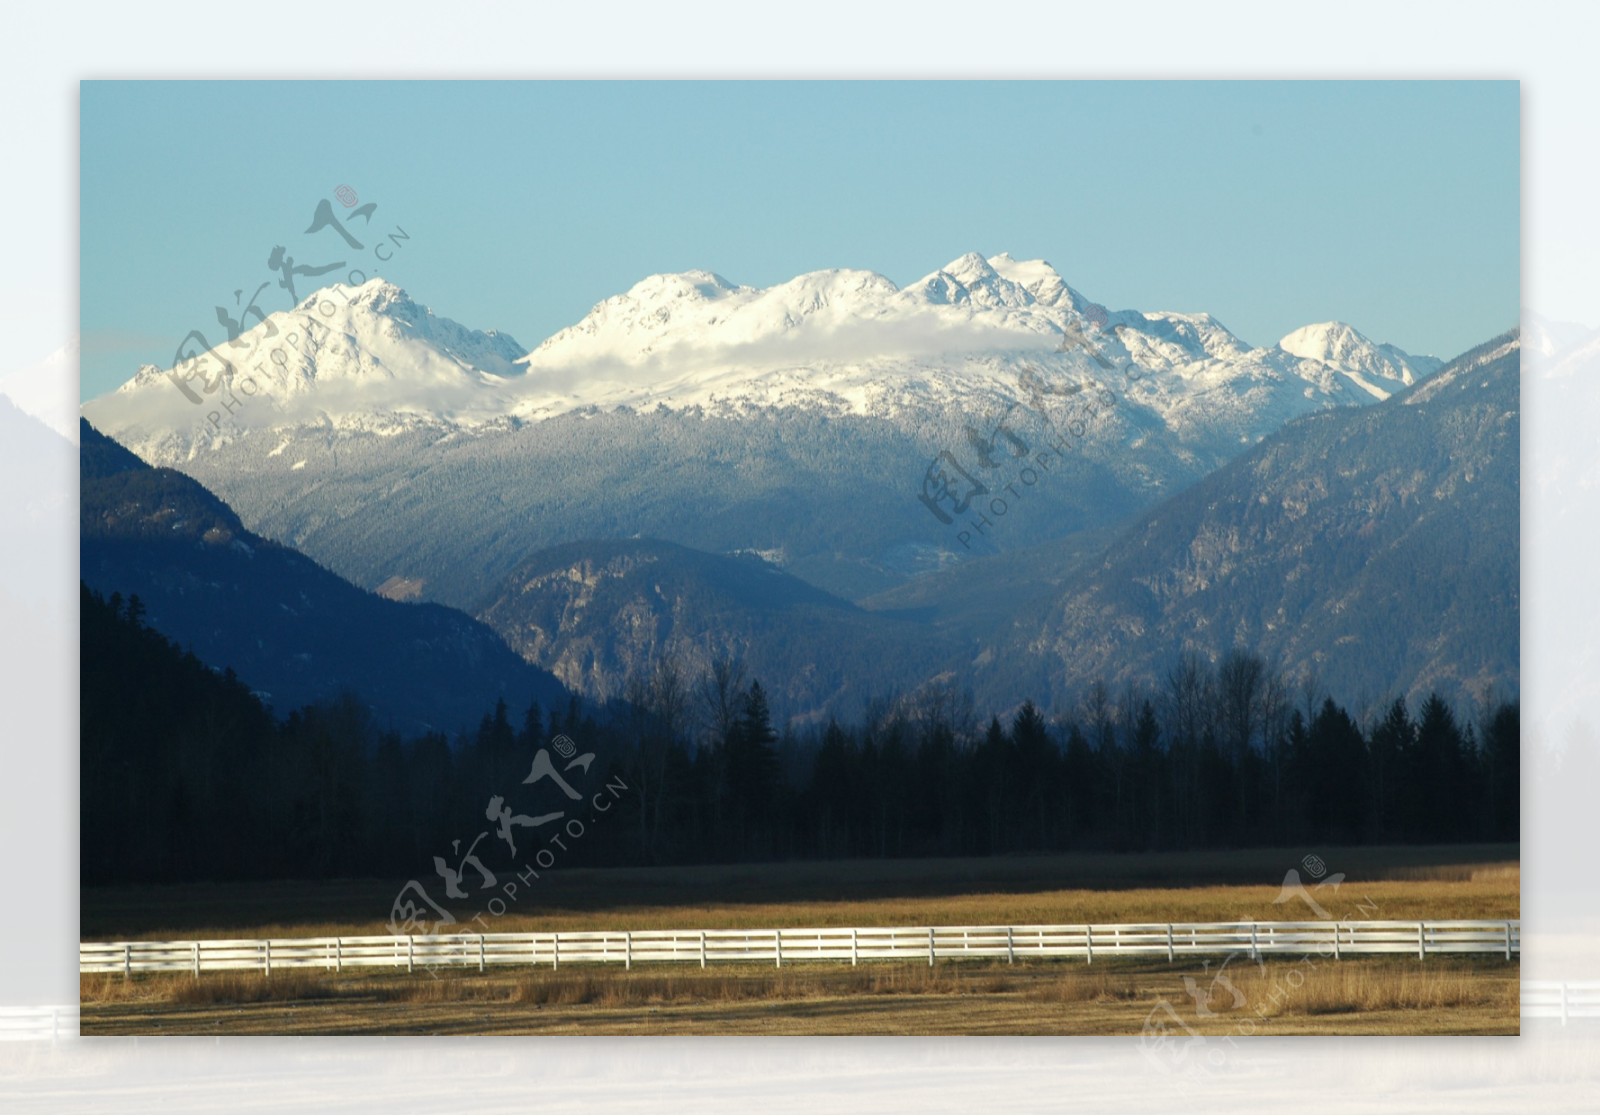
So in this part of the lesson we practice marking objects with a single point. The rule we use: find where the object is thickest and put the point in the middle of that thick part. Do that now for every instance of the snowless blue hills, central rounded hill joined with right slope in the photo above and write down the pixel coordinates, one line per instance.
(1374, 546)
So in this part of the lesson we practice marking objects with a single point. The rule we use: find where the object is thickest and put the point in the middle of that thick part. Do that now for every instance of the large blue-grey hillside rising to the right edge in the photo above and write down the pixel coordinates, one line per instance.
(1377, 546)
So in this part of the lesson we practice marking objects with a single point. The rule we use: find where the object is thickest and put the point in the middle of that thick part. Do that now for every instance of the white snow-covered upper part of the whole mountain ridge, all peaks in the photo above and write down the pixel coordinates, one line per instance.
(841, 341)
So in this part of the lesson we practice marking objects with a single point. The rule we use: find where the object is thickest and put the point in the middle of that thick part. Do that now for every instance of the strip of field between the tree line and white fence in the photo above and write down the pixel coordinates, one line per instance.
(1407, 883)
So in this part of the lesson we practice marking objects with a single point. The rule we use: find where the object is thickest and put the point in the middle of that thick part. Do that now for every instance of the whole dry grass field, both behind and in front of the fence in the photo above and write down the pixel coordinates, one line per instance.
(1391, 995)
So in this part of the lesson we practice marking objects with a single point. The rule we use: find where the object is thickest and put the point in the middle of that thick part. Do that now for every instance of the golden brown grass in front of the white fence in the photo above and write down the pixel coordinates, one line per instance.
(1289, 997)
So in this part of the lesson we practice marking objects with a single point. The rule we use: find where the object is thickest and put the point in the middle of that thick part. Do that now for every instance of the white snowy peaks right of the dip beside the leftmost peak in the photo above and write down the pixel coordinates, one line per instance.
(854, 340)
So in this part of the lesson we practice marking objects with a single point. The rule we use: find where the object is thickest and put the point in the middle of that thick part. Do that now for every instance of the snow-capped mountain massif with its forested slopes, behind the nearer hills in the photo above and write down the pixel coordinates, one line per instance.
(799, 420)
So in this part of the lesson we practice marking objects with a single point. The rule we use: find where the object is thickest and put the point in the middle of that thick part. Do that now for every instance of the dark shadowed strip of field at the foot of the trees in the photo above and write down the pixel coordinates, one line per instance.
(362, 906)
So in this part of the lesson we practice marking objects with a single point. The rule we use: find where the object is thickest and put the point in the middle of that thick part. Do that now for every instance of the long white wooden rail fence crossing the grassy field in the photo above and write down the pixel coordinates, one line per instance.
(855, 946)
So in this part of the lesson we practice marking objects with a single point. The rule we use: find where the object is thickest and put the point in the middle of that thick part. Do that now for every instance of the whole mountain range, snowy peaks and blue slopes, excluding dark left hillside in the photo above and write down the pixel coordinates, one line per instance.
(983, 476)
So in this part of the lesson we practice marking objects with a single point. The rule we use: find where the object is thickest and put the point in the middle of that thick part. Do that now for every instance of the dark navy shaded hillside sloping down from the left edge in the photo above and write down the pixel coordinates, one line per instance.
(289, 628)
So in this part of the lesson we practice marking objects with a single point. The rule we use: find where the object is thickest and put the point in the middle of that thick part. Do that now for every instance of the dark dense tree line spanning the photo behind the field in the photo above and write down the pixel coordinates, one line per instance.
(186, 776)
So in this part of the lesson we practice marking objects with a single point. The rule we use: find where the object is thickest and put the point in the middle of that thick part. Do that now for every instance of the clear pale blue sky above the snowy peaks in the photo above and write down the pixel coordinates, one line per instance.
(1388, 205)
